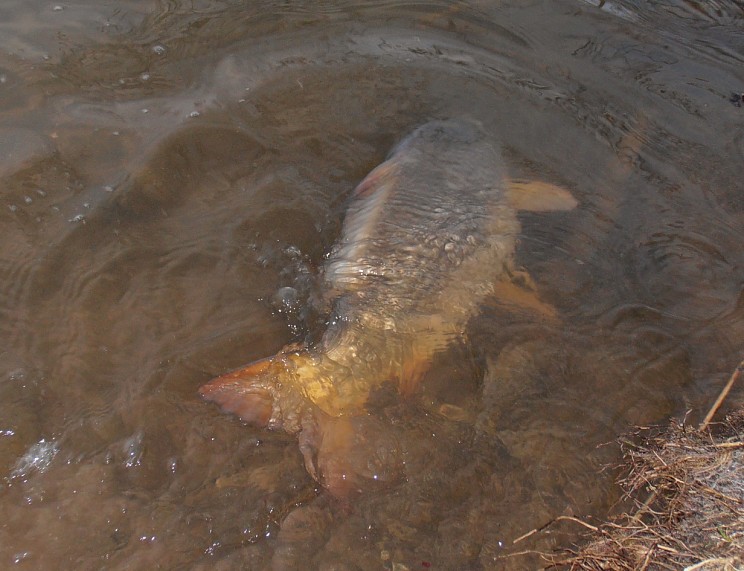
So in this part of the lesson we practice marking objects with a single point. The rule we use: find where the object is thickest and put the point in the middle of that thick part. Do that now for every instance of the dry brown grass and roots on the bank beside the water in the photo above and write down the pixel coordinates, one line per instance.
(687, 486)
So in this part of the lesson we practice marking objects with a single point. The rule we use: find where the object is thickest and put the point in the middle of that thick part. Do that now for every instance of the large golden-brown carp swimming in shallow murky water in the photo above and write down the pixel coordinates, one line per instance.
(429, 234)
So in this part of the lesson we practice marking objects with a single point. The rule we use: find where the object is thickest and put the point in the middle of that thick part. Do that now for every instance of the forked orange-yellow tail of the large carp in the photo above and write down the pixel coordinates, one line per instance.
(344, 448)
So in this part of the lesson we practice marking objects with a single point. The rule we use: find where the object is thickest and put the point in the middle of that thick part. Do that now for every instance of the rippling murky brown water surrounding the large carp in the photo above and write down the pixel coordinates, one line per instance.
(167, 168)
